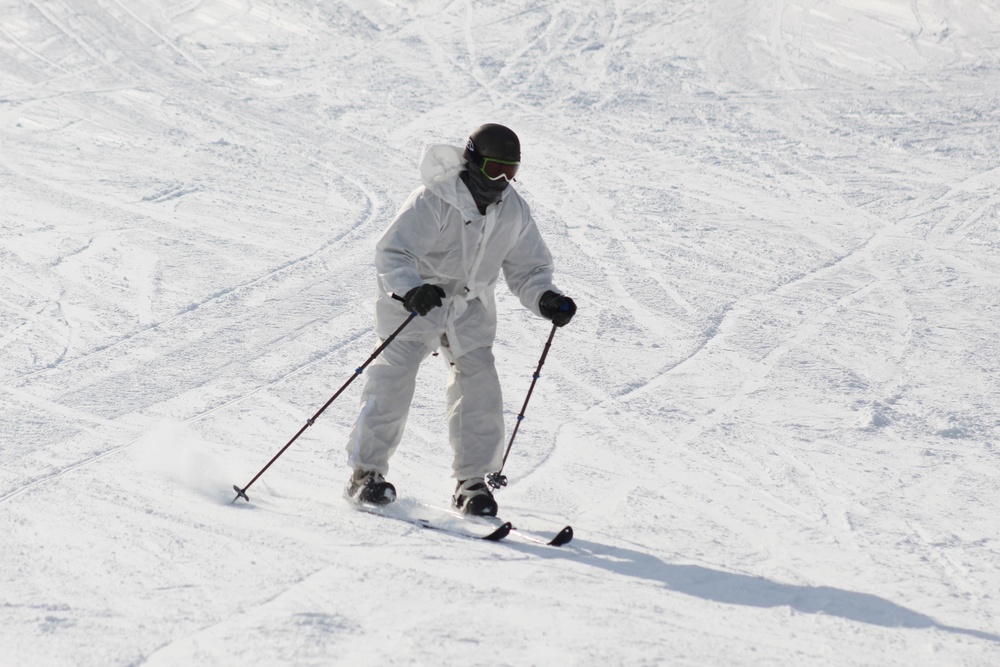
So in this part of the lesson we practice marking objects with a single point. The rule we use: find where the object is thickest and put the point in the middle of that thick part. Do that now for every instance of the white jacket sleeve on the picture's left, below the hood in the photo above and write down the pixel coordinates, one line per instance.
(399, 253)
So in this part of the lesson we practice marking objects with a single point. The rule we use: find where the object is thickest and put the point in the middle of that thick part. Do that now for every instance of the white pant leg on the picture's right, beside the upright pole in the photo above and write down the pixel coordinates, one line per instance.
(475, 414)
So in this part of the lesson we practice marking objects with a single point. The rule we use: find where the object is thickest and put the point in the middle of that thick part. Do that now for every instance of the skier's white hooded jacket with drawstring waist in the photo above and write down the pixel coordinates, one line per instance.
(440, 237)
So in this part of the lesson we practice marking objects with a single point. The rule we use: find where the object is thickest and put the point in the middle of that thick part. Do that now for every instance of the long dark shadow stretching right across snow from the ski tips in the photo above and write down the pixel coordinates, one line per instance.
(750, 591)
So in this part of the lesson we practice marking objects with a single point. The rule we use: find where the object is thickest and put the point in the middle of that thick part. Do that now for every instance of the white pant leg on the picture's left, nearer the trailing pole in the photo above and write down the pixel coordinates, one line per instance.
(385, 404)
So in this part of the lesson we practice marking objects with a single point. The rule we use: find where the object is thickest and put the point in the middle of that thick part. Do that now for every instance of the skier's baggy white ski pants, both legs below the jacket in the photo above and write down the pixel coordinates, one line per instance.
(474, 409)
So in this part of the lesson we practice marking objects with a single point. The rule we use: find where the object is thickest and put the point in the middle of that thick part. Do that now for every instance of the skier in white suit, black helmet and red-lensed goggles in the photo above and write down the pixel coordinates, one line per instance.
(442, 255)
